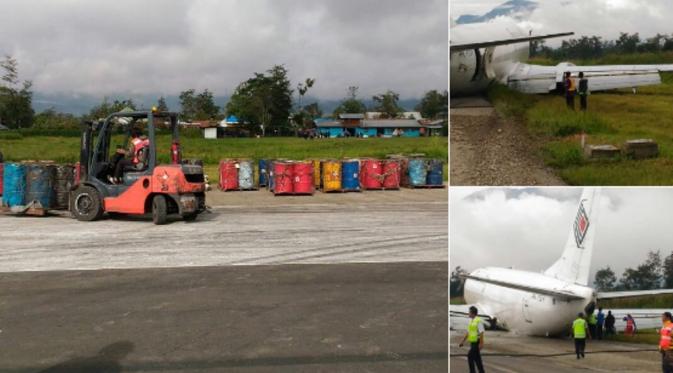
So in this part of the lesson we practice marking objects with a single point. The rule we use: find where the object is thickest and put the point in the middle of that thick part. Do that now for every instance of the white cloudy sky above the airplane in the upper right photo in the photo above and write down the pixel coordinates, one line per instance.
(605, 18)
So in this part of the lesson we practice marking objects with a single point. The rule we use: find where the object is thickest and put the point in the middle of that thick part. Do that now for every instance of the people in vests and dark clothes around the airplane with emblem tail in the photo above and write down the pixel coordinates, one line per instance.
(591, 326)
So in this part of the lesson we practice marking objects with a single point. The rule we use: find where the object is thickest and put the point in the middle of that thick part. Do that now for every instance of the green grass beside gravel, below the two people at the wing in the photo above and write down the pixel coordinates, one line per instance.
(613, 118)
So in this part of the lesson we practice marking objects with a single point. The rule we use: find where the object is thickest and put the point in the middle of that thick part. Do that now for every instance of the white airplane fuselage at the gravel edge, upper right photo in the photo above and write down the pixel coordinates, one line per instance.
(473, 70)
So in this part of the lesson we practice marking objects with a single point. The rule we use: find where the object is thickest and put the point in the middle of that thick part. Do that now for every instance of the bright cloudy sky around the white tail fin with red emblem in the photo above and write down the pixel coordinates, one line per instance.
(527, 228)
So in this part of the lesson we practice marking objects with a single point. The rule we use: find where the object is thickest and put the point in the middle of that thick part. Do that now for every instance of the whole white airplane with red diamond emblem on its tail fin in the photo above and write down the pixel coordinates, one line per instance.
(545, 304)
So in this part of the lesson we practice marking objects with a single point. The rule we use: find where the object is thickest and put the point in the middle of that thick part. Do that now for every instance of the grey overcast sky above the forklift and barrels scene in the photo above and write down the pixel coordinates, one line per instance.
(160, 46)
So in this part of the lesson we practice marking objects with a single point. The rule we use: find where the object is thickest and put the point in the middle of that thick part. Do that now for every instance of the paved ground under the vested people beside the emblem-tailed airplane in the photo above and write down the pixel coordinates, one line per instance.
(507, 353)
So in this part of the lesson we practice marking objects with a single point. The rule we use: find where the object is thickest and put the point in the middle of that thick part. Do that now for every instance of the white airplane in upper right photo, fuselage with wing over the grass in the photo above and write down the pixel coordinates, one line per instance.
(482, 53)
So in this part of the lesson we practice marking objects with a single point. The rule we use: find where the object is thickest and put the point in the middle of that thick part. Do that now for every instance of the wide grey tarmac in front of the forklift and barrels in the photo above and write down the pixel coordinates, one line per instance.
(260, 285)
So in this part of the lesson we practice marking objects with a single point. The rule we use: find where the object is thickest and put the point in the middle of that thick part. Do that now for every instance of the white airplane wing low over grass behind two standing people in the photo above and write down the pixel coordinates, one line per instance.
(543, 79)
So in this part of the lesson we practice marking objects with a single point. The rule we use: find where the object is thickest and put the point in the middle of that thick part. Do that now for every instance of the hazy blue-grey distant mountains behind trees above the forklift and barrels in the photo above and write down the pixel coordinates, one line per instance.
(78, 104)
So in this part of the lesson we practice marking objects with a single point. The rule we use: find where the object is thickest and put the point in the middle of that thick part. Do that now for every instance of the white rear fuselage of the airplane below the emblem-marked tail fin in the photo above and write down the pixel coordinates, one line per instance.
(525, 312)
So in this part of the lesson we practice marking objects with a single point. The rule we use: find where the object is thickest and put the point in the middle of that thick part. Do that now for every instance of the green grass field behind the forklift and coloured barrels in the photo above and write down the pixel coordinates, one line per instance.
(66, 149)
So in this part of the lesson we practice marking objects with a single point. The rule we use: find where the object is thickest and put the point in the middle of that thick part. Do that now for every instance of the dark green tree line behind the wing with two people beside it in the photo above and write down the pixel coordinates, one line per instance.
(590, 47)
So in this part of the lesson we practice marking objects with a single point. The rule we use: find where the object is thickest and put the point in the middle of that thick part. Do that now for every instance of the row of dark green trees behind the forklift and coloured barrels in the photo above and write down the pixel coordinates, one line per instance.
(266, 103)
